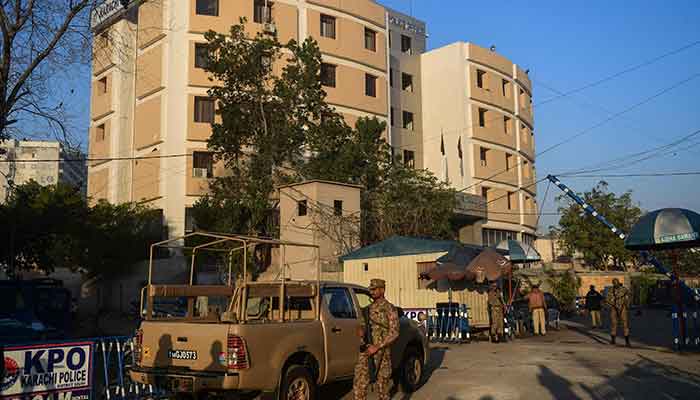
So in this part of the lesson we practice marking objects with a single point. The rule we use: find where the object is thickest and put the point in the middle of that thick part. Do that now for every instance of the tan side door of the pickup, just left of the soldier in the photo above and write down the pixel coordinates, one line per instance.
(340, 324)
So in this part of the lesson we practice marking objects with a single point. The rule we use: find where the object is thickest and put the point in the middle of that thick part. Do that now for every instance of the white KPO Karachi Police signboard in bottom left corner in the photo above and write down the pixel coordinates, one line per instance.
(48, 372)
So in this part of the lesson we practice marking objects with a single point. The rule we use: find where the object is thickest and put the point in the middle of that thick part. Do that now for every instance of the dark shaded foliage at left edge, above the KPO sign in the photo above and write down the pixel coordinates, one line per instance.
(49, 227)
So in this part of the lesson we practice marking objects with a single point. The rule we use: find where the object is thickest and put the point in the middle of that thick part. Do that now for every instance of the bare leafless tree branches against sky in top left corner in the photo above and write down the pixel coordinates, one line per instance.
(40, 39)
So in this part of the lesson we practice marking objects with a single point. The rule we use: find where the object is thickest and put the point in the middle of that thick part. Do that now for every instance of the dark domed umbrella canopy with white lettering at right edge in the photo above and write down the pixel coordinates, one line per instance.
(667, 228)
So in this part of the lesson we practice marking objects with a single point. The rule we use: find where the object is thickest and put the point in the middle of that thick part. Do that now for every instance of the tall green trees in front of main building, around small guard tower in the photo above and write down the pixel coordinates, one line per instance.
(275, 127)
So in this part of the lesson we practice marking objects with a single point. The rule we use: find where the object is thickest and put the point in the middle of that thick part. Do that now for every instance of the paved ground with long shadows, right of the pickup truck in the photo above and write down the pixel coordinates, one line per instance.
(573, 363)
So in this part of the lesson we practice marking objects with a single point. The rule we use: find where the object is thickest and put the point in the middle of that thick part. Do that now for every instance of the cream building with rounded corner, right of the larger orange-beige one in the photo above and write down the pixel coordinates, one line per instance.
(478, 136)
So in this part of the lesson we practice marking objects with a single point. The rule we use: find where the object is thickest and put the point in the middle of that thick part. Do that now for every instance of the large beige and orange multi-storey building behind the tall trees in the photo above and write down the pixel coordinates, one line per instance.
(149, 95)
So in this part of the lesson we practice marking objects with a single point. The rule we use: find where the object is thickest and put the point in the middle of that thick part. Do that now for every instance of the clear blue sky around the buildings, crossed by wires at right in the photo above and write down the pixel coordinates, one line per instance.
(566, 48)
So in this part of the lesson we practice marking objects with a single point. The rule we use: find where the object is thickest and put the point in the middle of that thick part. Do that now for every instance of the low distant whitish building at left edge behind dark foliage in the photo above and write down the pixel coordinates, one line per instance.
(45, 162)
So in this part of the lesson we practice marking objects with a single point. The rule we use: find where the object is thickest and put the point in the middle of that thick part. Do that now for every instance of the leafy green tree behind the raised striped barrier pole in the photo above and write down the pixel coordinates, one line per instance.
(580, 231)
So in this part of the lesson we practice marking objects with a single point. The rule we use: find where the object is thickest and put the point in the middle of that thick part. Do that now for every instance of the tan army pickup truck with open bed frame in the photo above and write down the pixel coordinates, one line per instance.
(283, 337)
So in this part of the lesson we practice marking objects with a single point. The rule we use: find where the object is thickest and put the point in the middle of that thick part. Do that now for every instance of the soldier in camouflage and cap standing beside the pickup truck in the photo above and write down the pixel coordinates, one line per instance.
(384, 324)
